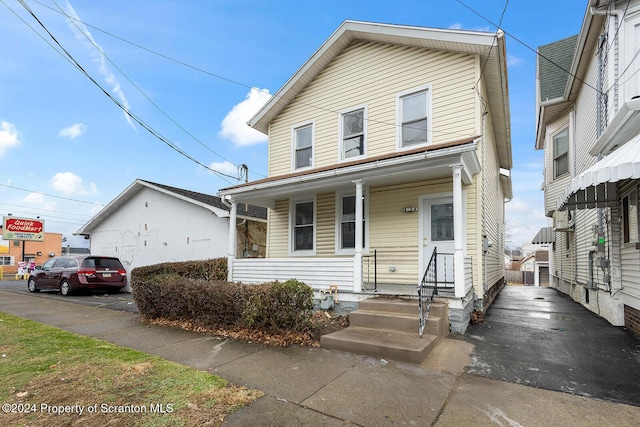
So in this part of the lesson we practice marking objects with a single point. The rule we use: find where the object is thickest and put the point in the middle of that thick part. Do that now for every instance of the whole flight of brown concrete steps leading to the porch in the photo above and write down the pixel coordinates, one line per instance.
(387, 328)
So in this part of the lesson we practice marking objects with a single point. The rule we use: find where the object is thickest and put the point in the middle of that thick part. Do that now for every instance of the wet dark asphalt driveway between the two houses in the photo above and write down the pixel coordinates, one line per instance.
(540, 337)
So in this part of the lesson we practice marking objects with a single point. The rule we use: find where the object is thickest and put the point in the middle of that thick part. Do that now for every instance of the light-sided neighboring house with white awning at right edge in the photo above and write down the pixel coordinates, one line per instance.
(588, 124)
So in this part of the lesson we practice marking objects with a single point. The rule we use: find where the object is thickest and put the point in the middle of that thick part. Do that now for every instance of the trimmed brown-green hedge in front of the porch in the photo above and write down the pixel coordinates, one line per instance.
(184, 292)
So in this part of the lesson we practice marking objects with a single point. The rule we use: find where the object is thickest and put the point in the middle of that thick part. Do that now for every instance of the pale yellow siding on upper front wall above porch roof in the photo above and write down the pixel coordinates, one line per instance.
(373, 74)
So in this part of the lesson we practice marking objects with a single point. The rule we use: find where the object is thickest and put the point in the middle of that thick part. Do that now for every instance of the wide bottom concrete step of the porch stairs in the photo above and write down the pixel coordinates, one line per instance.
(408, 348)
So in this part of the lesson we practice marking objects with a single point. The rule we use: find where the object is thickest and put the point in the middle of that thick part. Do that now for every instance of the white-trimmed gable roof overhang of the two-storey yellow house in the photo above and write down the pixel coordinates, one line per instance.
(489, 46)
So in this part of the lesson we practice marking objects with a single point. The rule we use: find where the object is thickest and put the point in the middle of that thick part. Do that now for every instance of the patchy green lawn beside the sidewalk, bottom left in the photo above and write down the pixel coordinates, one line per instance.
(53, 377)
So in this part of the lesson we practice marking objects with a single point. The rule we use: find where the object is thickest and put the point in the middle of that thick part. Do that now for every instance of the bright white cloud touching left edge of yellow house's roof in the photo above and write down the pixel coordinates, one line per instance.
(234, 125)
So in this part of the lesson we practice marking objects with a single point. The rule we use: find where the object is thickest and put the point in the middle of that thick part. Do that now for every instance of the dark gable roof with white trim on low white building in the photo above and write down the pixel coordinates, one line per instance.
(212, 203)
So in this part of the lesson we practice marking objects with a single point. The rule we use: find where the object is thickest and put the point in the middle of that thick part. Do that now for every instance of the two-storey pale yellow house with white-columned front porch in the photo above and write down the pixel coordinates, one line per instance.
(387, 143)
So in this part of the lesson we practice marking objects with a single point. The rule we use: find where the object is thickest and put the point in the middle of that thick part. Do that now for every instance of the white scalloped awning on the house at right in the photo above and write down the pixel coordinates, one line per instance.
(595, 187)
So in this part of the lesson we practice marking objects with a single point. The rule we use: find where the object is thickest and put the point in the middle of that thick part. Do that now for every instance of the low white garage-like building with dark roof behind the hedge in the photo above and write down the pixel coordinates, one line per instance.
(150, 223)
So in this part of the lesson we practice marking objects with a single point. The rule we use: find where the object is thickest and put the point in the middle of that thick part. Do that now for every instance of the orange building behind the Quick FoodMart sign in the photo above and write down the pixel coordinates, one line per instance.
(12, 252)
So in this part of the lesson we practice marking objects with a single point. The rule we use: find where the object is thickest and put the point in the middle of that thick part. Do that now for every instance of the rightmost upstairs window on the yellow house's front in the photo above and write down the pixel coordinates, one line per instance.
(414, 118)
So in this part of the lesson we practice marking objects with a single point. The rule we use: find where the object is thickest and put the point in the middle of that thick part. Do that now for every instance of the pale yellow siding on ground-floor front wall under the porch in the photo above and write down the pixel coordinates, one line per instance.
(392, 233)
